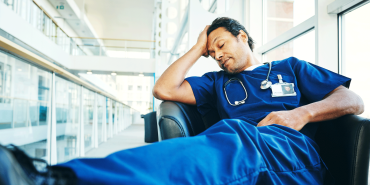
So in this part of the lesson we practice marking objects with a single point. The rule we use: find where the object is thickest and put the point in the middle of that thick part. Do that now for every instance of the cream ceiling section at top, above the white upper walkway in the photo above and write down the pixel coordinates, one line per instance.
(121, 19)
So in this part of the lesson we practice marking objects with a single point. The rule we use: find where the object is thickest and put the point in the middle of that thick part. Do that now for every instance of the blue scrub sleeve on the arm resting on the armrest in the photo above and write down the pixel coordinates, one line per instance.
(315, 82)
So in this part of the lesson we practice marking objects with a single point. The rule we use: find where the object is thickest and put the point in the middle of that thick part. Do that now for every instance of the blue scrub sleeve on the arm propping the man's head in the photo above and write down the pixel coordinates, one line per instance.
(204, 93)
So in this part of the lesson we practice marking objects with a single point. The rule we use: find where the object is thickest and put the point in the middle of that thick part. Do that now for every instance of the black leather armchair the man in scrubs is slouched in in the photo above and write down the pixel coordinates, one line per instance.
(344, 142)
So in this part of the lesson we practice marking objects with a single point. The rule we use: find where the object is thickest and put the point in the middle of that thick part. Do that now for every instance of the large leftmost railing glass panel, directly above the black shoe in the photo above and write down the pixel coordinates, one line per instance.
(22, 107)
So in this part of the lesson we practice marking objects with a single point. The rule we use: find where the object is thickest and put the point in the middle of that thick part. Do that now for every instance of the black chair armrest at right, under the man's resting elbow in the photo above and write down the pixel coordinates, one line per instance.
(345, 148)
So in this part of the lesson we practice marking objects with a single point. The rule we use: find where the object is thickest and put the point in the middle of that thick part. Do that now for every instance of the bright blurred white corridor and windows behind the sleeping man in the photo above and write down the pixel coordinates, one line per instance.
(75, 75)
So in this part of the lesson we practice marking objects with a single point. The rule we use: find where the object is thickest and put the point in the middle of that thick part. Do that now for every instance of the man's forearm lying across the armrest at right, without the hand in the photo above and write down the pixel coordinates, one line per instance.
(338, 103)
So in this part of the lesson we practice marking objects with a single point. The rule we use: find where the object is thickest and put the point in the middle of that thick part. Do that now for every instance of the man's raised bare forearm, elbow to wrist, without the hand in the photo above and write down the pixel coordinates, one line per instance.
(174, 75)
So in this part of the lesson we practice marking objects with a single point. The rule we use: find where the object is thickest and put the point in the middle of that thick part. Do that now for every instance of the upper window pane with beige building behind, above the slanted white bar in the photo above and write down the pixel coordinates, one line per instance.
(282, 15)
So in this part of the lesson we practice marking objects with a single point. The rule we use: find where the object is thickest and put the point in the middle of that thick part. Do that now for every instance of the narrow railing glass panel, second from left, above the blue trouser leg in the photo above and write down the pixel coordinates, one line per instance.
(68, 119)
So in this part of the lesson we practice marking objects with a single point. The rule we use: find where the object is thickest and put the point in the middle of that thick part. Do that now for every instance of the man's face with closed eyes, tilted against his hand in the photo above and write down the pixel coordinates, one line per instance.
(229, 51)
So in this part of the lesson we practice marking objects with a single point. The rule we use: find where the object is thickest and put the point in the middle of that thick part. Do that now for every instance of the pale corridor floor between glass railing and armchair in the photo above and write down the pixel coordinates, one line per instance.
(132, 137)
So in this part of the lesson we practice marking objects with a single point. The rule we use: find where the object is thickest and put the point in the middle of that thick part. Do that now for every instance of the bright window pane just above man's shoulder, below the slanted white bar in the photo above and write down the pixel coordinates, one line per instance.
(302, 47)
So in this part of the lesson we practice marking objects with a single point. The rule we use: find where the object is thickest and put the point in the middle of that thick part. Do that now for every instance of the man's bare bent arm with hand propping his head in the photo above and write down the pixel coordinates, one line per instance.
(171, 85)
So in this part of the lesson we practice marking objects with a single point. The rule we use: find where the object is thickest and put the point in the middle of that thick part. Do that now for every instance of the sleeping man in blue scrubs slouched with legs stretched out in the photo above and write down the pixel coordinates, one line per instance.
(268, 114)
